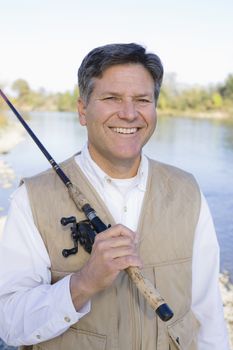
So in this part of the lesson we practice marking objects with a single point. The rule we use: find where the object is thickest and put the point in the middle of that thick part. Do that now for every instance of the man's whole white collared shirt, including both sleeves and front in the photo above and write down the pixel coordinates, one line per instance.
(33, 310)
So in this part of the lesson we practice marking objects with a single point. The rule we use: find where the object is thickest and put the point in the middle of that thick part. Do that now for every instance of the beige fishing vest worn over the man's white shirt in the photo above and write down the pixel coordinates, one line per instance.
(120, 318)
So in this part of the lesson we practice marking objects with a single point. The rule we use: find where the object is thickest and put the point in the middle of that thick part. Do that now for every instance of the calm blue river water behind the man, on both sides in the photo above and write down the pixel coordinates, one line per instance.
(202, 147)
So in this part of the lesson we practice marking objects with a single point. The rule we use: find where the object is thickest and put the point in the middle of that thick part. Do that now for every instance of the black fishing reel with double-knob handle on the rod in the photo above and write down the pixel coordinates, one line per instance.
(81, 232)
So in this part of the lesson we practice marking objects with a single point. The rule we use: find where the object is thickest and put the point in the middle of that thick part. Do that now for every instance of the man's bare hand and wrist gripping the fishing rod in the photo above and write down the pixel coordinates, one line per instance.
(113, 251)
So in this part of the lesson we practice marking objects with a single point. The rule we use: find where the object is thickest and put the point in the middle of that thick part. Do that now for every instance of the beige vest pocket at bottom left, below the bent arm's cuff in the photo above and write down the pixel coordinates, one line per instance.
(74, 339)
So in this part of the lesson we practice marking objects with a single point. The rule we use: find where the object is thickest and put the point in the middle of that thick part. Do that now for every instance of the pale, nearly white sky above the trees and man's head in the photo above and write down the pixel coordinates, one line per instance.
(44, 41)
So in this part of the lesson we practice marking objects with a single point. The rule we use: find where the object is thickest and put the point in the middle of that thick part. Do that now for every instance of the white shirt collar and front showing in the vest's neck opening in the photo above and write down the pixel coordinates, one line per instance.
(123, 197)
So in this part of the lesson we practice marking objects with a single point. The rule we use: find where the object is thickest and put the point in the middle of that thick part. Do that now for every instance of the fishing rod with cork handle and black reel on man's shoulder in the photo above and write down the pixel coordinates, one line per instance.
(148, 290)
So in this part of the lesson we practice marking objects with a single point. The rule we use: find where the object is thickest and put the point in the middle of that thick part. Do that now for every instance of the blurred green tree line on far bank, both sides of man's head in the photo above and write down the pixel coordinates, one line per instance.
(219, 98)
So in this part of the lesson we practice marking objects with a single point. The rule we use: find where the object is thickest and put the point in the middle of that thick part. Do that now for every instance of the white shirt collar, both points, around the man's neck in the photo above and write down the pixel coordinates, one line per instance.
(90, 167)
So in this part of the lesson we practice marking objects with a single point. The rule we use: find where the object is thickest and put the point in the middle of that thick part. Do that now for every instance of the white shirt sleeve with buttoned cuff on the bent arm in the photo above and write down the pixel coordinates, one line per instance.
(32, 310)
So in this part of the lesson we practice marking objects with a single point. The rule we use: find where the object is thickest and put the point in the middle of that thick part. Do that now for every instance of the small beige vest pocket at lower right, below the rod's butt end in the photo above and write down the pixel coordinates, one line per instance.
(183, 333)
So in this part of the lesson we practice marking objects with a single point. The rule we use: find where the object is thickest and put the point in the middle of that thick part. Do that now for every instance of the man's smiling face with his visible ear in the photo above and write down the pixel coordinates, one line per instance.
(120, 116)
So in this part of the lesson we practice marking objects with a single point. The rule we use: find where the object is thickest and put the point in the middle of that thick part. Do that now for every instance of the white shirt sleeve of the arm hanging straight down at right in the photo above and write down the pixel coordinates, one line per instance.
(206, 299)
